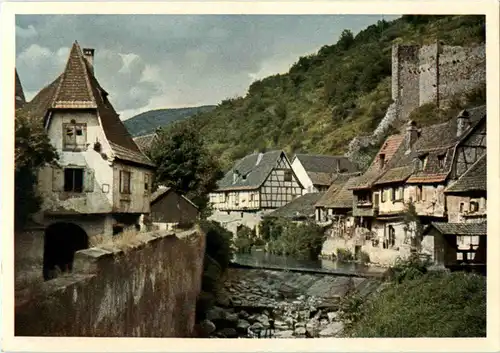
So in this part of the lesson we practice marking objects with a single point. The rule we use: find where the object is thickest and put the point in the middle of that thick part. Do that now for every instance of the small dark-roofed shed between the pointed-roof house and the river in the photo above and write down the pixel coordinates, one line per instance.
(170, 209)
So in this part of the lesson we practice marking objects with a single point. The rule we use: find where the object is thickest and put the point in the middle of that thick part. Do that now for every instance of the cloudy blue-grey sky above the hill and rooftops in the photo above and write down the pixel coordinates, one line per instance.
(170, 61)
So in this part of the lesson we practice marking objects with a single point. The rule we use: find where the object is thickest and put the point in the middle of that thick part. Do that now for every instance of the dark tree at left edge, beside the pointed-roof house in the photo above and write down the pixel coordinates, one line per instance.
(33, 151)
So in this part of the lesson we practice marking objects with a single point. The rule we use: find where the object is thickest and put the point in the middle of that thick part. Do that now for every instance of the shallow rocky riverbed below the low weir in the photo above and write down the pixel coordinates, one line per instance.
(279, 304)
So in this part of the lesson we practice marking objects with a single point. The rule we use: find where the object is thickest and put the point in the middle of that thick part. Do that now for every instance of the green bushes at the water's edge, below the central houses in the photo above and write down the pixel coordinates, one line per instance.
(302, 240)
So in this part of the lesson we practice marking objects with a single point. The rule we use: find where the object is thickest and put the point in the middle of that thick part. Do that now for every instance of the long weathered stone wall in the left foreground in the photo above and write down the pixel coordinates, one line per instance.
(148, 290)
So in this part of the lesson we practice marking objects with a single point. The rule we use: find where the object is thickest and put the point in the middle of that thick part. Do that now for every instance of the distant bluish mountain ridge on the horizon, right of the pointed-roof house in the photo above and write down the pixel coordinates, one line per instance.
(147, 122)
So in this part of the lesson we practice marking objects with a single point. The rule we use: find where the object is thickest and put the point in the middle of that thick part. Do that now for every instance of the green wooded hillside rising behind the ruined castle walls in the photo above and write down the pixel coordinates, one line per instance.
(329, 97)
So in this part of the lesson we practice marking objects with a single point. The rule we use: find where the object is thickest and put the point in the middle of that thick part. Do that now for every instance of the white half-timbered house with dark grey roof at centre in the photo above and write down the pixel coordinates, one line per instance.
(256, 185)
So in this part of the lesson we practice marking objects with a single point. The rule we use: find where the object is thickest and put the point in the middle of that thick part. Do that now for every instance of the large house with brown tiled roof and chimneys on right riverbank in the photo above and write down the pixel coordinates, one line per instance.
(422, 165)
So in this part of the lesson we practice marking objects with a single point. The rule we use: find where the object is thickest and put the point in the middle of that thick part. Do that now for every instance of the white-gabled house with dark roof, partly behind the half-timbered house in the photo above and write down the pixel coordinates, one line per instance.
(318, 172)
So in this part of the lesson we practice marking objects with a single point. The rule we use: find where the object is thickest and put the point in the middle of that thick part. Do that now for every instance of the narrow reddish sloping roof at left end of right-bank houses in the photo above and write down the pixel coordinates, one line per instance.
(388, 149)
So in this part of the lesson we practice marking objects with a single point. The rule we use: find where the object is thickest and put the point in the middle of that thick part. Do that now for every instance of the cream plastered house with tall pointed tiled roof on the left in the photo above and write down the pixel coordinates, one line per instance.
(102, 182)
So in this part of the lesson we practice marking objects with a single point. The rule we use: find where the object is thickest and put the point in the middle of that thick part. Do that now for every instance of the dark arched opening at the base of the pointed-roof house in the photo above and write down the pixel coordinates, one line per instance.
(61, 242)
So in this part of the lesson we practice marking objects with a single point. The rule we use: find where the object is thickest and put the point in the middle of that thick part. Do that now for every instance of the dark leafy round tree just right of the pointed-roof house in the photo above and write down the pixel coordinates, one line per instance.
(184, 164)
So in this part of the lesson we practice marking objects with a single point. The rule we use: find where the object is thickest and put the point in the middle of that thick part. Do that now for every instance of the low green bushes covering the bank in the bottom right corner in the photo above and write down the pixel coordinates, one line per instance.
(432, 305)
